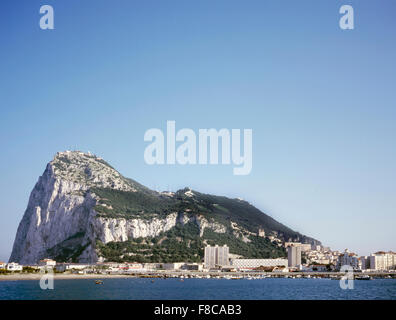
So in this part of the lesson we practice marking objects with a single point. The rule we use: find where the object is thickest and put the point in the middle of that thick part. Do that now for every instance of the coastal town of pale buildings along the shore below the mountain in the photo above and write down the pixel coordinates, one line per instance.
(303, 260)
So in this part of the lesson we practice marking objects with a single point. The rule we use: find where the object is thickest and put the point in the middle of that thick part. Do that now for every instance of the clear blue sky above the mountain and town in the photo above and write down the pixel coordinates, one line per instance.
(320, 101)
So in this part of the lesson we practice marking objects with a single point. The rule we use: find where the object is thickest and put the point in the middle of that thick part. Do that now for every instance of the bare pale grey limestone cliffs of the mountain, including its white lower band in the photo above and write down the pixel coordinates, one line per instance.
(61, 216)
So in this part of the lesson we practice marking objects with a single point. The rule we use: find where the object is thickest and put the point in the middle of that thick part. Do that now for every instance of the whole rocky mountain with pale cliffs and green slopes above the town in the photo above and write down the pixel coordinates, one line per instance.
(83, 210)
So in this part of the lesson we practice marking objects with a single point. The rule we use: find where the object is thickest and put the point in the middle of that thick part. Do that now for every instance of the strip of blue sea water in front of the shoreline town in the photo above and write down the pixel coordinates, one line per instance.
(196, 289)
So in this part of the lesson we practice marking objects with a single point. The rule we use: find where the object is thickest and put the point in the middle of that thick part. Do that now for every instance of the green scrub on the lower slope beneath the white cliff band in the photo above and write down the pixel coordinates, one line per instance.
(183, 243)
